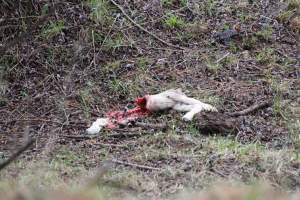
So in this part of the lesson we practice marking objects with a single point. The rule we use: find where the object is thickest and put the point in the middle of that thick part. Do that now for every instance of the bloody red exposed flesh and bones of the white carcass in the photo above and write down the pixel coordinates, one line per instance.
(123, 117)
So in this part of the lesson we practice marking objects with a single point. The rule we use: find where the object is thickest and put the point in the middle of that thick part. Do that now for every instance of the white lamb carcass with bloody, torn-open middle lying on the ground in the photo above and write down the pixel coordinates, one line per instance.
(171, 99)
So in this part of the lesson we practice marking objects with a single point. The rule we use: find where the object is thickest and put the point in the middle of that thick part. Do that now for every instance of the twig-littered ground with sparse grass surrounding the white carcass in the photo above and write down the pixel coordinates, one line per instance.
(65, 63)
